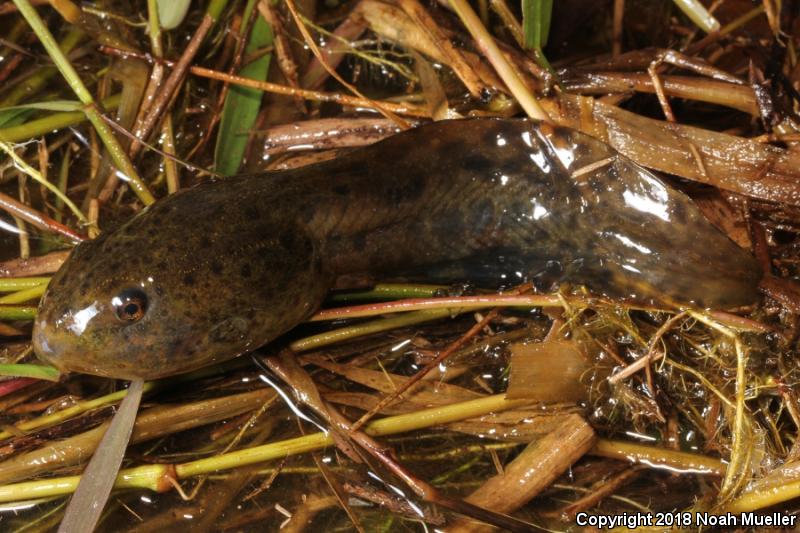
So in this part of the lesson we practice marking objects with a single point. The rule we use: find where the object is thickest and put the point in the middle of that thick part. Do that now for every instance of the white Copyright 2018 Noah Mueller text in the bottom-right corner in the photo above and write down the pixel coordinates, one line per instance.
(686, 520)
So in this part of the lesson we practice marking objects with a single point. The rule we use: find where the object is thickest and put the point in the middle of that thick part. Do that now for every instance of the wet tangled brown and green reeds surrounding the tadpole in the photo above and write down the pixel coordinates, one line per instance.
(421, 405)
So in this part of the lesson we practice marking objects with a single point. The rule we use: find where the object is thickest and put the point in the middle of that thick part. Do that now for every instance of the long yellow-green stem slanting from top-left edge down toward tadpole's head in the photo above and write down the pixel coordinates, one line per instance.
(91, 110)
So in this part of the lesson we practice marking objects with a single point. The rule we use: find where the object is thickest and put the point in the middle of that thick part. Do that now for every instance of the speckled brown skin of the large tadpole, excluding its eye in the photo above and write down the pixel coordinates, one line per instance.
(231, 264)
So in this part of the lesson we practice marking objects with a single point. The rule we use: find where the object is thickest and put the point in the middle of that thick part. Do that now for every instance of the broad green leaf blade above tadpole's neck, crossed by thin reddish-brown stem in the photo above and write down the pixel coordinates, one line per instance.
(242, 104)
